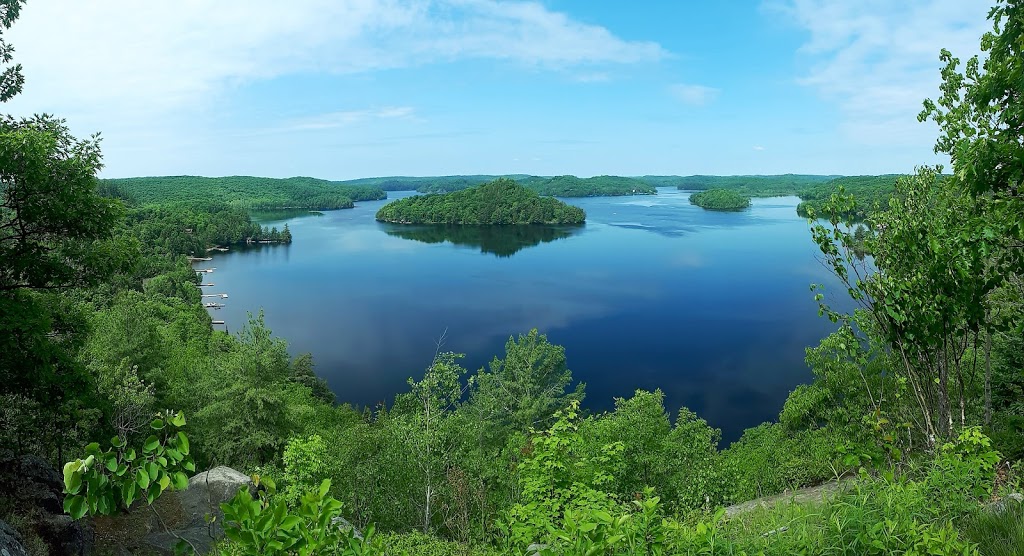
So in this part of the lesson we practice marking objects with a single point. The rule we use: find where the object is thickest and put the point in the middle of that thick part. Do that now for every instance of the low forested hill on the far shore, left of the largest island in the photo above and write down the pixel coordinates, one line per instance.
(246, 192)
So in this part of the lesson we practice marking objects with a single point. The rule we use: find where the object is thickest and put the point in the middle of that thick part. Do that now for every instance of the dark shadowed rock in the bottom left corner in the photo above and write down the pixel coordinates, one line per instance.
(35, 490)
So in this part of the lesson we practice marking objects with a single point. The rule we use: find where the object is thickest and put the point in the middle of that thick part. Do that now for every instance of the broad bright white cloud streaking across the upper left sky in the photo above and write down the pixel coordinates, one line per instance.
(123, 60)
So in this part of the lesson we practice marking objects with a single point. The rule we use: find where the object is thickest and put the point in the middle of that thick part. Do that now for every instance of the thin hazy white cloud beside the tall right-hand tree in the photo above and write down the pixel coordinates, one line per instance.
(879, 60)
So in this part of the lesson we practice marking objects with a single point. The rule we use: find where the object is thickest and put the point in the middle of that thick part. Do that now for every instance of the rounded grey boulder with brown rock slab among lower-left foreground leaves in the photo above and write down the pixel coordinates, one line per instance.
(192, 517)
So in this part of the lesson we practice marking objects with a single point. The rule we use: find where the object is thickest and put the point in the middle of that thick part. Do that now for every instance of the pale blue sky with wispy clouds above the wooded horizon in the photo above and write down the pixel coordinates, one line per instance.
(342, 90)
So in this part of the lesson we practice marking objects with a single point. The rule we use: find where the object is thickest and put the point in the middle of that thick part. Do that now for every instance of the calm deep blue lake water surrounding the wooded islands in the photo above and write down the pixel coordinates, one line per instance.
(714, 309)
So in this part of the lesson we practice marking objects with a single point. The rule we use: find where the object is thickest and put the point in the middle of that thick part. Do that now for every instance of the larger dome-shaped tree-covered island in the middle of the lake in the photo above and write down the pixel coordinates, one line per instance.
(497, 203)
